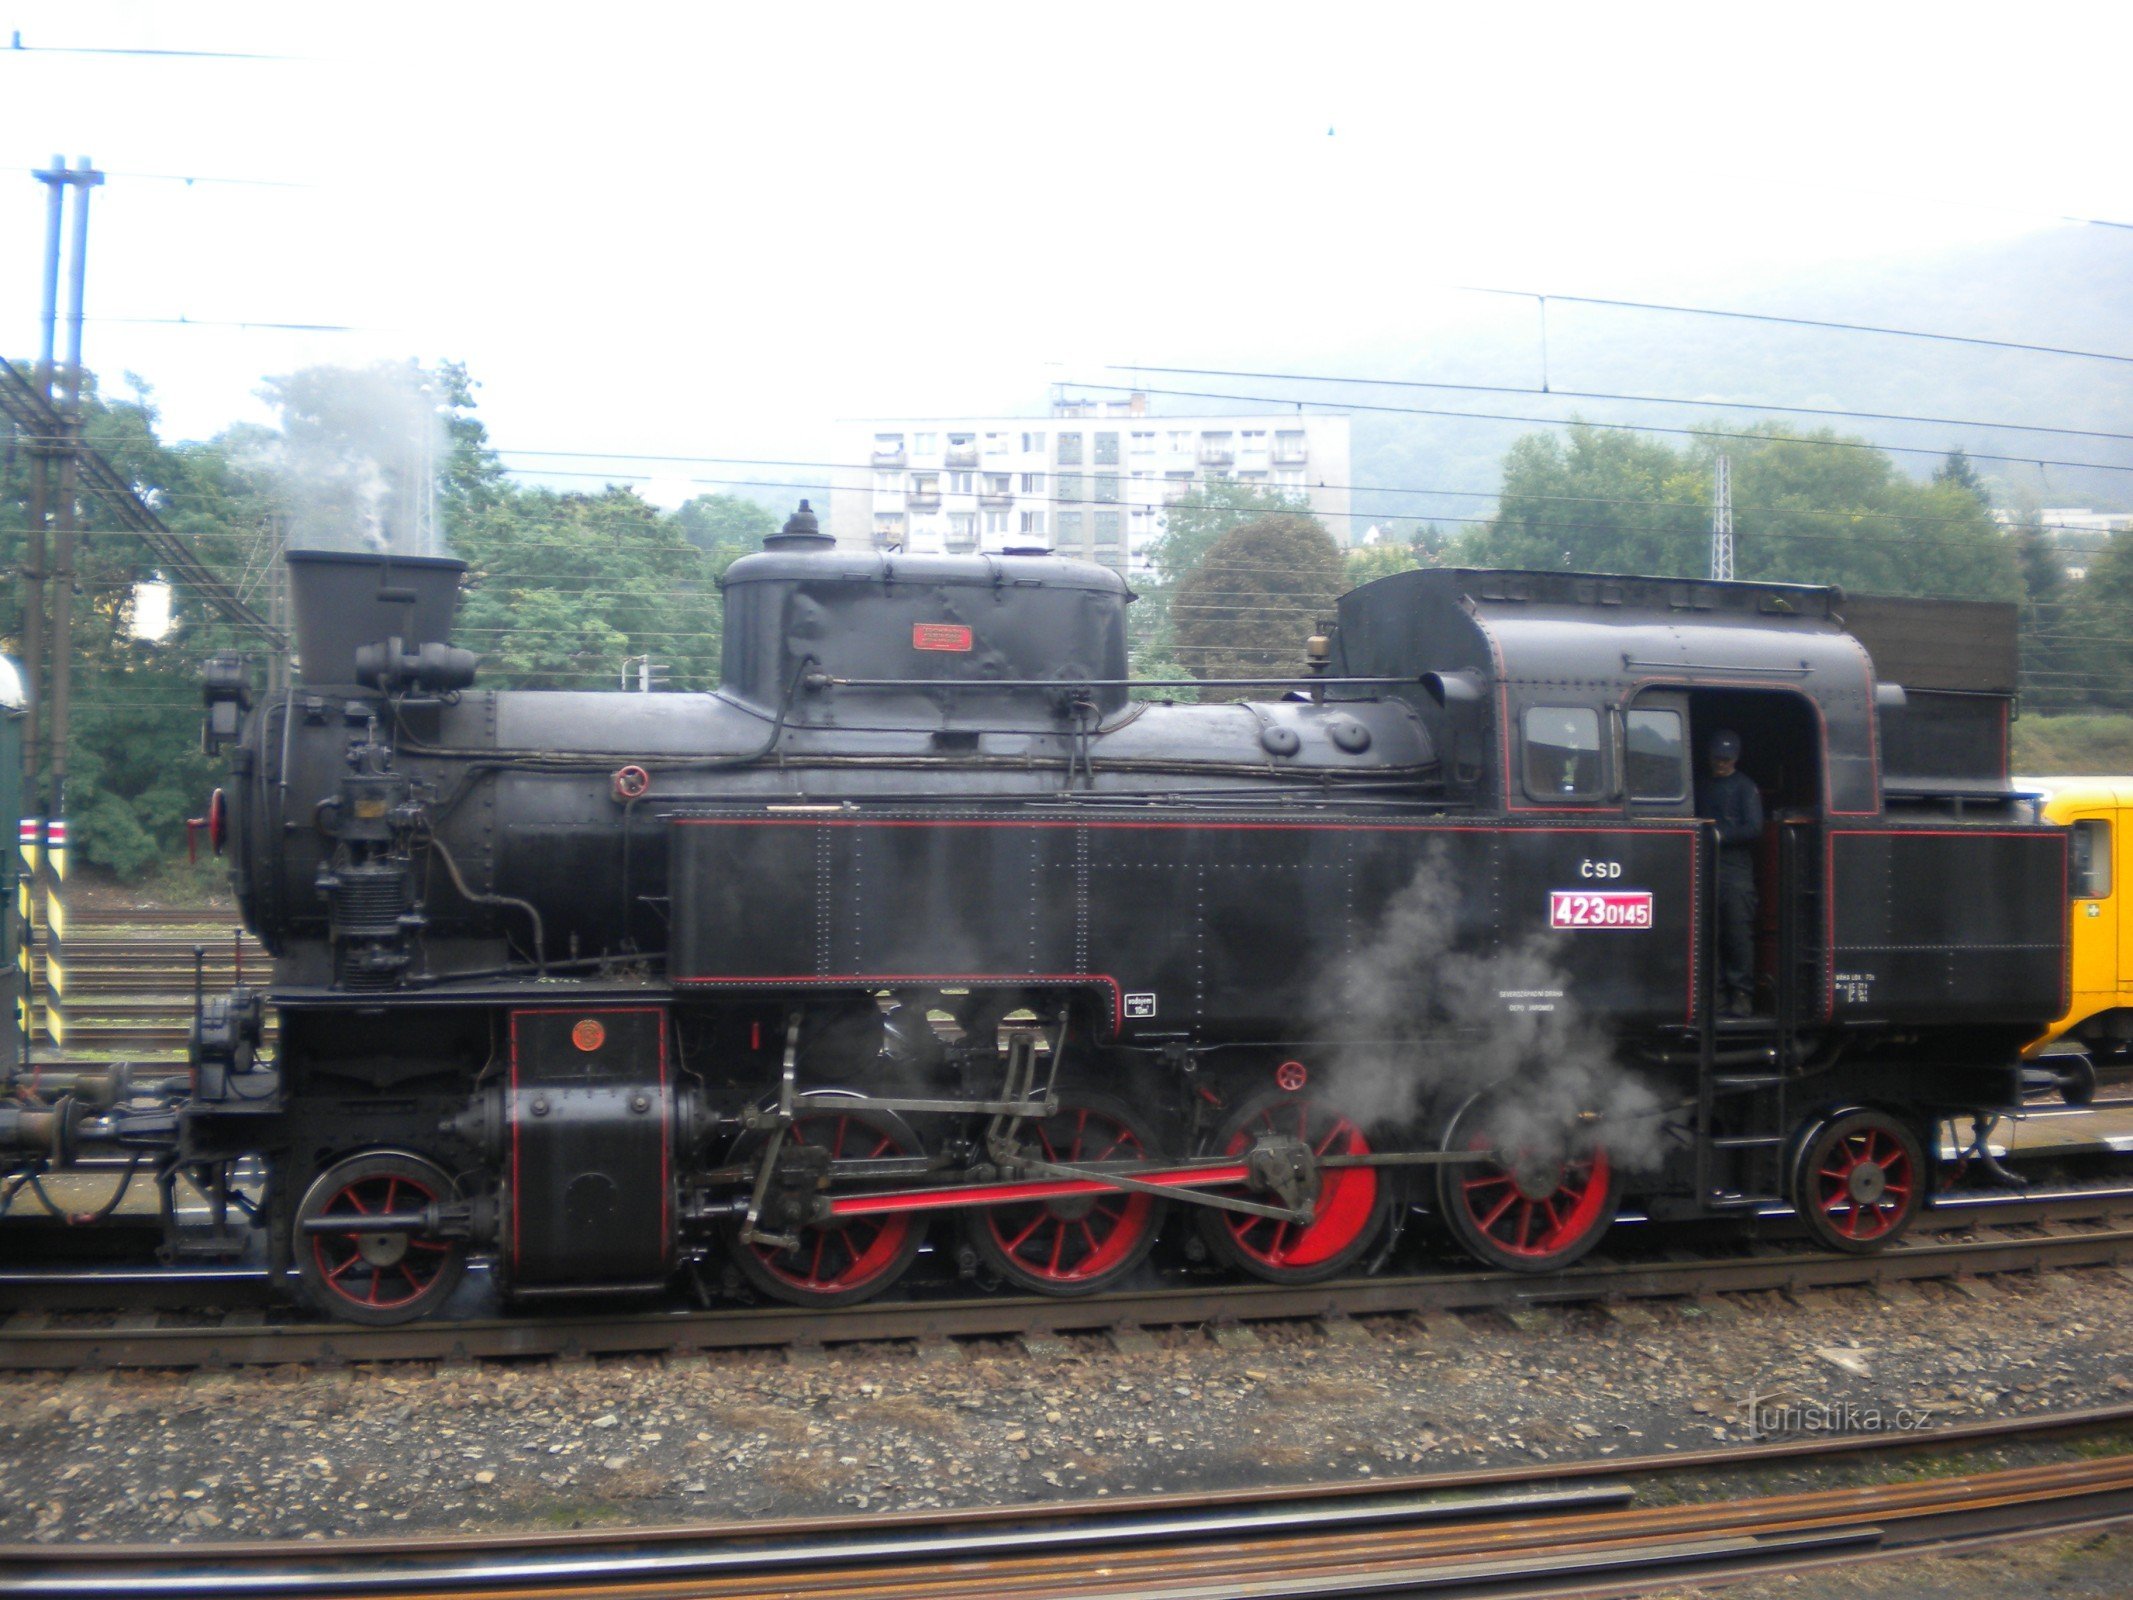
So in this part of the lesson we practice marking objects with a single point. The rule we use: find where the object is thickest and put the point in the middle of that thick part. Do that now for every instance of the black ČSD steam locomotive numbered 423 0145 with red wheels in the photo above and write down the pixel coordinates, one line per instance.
(927, 927)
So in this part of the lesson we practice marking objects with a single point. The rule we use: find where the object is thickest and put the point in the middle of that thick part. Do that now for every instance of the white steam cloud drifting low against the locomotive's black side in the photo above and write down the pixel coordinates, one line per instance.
(1428, 1023)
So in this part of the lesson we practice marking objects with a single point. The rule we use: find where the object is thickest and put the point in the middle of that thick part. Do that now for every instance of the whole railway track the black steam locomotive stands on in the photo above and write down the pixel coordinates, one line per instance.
(2032, 1234)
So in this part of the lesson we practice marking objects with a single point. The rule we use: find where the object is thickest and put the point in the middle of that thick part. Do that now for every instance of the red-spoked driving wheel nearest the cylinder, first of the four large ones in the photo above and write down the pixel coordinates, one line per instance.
(852, 1260)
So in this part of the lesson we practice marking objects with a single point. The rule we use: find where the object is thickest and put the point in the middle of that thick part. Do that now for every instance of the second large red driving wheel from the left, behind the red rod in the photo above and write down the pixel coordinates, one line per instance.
(1080, 1243)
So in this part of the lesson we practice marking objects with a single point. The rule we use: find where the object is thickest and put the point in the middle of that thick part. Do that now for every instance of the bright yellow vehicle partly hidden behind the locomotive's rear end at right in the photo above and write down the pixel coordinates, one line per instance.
(2098, 1029)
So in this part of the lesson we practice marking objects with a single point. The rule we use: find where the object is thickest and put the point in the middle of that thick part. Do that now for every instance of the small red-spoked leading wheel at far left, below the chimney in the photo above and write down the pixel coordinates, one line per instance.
(376, 1277)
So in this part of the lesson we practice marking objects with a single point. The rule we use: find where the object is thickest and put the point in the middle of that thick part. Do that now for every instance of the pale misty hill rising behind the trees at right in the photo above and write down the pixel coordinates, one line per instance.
(2066, 287)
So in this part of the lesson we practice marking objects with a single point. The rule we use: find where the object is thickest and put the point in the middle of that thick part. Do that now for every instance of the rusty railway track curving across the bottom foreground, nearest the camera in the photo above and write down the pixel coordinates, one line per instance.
(1571, 1529)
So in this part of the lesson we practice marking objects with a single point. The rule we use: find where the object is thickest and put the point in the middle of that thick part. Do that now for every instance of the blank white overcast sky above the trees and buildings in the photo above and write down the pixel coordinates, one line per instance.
(718, 229)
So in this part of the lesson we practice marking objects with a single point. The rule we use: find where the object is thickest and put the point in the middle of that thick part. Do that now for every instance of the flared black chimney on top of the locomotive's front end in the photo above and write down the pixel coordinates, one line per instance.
(342, 603)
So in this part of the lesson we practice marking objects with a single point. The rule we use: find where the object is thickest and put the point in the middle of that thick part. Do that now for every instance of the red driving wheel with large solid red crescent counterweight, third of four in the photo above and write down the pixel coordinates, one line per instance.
(1349, 1213)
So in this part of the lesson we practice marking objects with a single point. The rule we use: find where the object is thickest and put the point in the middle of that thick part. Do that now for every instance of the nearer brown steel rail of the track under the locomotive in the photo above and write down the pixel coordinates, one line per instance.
(684, 1332)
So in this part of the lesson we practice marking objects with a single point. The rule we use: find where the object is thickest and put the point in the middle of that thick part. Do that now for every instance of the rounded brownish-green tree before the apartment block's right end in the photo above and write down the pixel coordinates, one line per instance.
(1255, 596)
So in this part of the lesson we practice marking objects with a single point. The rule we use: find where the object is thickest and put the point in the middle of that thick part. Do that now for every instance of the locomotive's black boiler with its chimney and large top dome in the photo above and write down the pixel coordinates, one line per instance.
(391, 822)
